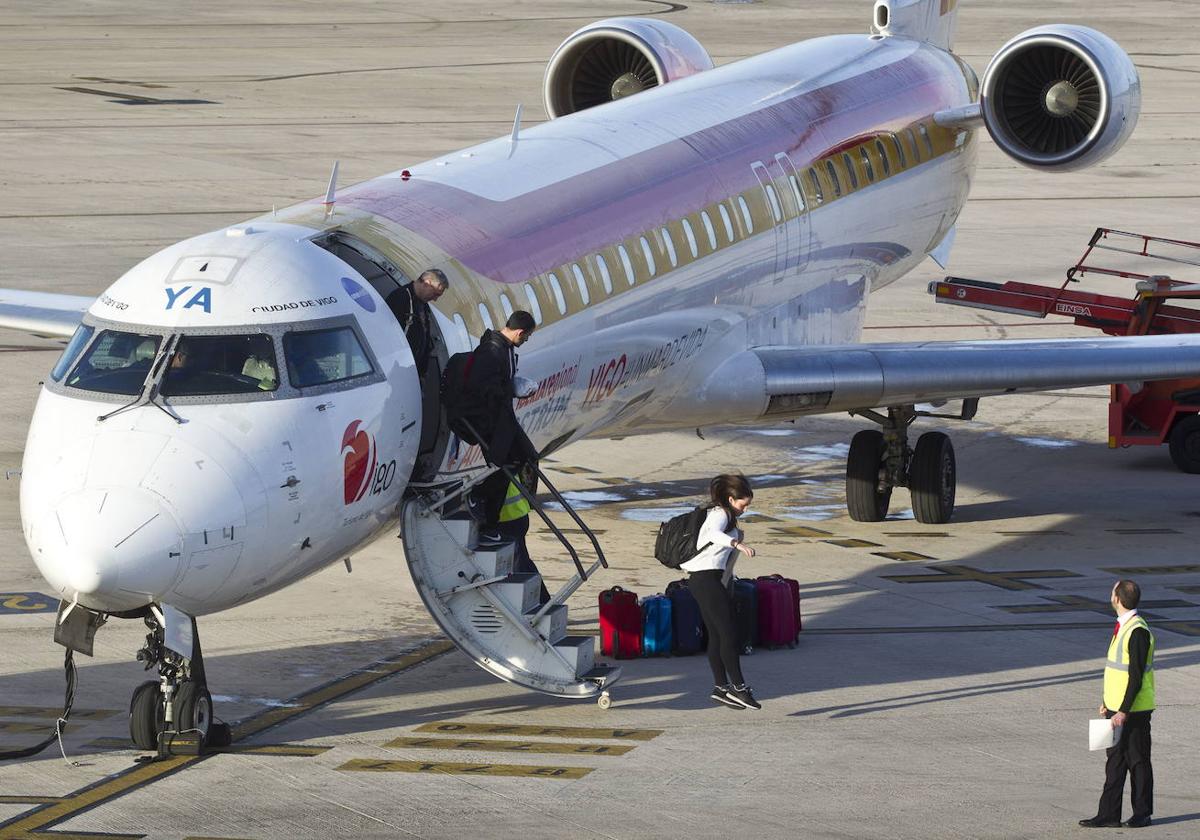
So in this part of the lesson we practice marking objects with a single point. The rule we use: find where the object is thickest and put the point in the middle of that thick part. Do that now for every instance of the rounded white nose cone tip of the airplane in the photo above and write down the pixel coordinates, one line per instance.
(115, 549)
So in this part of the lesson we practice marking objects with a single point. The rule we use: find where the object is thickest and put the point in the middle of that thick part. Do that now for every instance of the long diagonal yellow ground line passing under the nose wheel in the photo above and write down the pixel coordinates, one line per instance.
(146, 773)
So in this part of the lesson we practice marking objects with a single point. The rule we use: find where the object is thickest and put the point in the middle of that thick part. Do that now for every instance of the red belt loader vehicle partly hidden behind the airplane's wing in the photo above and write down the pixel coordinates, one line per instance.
(1149, 413)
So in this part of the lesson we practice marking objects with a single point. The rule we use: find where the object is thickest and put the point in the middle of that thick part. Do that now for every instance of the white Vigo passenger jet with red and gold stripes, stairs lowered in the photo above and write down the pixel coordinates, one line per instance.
(697, 245)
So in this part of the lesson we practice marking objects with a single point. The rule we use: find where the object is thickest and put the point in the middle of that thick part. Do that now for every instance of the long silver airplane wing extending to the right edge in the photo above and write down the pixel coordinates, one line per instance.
(785, 382)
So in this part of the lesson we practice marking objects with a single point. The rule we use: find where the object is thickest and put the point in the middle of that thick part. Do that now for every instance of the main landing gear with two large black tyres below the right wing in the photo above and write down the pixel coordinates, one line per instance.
(880, 460)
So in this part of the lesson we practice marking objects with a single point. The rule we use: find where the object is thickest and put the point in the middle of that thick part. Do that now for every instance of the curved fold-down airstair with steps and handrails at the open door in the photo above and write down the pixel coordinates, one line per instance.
(487, 609)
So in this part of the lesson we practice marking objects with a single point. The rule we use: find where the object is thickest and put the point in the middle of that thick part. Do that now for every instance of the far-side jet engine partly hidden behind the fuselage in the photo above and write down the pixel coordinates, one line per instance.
(616, 58)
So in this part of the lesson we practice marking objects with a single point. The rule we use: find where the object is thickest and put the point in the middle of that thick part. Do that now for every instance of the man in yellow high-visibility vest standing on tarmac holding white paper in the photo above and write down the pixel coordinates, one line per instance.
(1129, 704)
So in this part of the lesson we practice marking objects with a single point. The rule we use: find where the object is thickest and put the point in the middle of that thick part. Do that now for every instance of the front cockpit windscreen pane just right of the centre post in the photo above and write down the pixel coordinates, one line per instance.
(211, 365)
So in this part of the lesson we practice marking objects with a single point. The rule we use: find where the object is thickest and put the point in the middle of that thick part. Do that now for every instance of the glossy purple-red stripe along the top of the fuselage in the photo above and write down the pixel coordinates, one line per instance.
(536, 232)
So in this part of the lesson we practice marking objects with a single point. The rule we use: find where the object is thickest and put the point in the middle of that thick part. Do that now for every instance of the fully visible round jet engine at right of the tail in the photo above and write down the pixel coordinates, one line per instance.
(1061, 98)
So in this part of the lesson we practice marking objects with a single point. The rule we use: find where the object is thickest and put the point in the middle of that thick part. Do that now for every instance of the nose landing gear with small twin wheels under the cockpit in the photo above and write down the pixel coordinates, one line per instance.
(173, 713)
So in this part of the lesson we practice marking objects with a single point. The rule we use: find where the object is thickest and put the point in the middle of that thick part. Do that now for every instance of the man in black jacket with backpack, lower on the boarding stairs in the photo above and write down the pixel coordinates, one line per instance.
(493, 413)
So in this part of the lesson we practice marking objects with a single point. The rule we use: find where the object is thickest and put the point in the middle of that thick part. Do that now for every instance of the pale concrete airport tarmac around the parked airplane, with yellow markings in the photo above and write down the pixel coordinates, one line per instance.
(945, 677)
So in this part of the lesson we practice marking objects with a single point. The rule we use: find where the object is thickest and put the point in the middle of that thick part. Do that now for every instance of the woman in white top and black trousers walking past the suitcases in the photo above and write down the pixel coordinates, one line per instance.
(709, 575)
